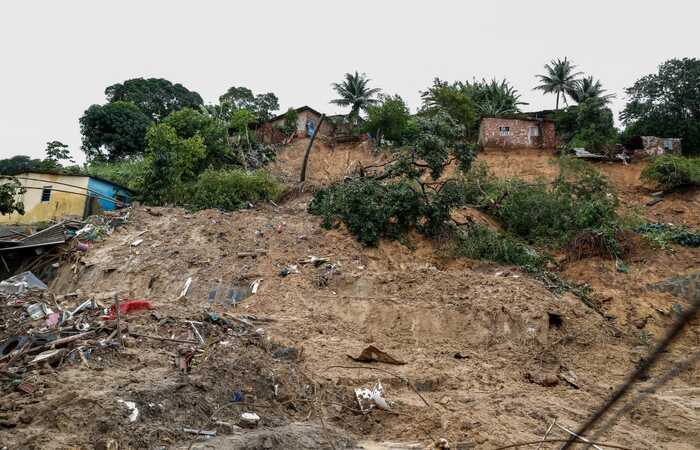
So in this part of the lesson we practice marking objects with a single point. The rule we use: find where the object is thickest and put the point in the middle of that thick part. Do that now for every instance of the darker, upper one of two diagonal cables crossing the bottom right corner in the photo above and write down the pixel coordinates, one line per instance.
(671, 336)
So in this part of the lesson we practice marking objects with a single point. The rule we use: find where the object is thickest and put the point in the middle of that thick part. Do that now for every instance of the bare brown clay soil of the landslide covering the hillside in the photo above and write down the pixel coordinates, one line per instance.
(488, 349)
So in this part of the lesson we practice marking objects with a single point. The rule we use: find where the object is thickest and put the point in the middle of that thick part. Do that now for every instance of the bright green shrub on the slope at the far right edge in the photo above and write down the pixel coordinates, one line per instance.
(671, 171)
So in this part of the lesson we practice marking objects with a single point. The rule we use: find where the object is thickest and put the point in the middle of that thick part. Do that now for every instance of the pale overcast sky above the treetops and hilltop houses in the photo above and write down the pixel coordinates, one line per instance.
(57, 57)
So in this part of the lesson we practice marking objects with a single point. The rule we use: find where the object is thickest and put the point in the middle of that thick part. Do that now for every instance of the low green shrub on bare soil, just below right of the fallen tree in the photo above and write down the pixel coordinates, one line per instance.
(480, 242)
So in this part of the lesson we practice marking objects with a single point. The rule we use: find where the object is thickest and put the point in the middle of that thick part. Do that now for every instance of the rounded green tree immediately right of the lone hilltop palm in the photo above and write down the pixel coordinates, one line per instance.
(388, 119)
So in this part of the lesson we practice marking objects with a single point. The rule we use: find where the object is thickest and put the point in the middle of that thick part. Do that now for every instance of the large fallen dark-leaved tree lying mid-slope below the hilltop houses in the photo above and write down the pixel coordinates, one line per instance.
(413, 196)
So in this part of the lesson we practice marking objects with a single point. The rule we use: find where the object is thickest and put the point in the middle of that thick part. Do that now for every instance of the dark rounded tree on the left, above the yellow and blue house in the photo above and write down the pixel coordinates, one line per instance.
(113, 131)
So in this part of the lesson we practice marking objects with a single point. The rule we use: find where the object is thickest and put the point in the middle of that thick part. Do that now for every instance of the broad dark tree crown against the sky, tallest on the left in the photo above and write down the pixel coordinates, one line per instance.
(156, 97)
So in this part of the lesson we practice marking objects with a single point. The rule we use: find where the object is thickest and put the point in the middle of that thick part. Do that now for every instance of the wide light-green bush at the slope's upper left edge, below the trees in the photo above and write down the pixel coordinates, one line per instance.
(231, 189)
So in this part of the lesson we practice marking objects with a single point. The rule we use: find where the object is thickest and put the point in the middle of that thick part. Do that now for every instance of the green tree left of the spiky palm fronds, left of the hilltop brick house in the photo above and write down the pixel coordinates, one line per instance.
(454, 99)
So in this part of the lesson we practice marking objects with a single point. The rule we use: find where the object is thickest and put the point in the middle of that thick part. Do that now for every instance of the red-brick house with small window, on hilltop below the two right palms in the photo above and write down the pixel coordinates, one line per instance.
(526, 130)
